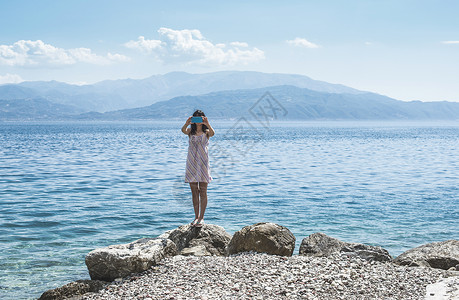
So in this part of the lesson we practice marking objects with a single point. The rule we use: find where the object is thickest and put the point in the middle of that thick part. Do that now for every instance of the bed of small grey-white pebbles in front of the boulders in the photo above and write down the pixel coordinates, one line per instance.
(261, 276)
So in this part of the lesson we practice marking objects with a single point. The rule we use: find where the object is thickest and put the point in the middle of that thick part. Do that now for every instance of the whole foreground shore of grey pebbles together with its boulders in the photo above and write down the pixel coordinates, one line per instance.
(257, 262)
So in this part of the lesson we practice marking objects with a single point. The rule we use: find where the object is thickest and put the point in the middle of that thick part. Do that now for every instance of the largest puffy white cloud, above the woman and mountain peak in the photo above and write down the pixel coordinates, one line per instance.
(190, 46)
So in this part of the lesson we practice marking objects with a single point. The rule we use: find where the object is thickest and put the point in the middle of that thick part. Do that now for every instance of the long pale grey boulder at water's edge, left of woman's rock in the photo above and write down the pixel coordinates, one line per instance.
(121, 260)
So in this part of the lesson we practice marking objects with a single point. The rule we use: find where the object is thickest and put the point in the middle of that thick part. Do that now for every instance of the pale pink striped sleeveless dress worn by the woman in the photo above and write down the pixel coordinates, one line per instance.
(197, 162)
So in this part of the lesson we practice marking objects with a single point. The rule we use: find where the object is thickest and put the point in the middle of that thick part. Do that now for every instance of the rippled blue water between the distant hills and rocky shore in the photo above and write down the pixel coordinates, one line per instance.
(66, 189)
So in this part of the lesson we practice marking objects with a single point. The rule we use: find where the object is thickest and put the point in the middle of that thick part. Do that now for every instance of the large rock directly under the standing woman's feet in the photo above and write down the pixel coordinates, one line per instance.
(199, 241)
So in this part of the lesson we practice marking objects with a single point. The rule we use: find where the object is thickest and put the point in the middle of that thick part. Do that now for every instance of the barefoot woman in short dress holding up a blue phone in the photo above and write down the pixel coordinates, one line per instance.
(197, 163)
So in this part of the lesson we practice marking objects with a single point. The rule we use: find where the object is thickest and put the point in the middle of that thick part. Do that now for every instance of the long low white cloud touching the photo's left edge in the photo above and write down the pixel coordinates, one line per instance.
(37, 53)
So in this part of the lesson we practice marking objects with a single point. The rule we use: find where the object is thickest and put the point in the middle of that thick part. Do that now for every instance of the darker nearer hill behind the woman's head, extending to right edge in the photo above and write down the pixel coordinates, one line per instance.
(292, 103)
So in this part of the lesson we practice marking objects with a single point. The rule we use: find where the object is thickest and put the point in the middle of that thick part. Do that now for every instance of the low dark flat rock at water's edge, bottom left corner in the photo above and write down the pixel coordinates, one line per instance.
(76, 288)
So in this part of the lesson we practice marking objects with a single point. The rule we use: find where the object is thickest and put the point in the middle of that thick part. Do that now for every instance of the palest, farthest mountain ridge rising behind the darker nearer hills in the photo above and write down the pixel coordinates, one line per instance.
(130, 93)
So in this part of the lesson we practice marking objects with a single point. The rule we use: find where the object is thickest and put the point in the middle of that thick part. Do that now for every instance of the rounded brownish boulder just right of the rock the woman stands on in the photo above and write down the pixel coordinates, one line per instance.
(264, 238)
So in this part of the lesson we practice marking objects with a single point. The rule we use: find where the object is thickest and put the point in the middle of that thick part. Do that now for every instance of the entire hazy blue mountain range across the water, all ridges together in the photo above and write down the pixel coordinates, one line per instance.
(222, 95)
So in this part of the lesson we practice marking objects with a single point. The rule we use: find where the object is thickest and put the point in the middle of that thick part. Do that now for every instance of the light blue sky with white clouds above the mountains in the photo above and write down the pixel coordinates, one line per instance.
(405, 49)
